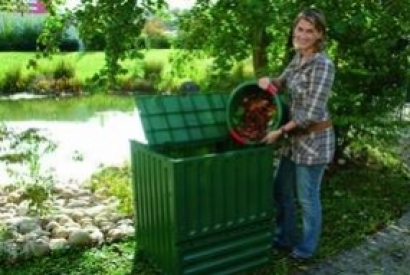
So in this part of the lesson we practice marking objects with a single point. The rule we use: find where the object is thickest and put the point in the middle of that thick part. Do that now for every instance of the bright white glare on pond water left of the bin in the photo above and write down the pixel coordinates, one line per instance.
(83, 147)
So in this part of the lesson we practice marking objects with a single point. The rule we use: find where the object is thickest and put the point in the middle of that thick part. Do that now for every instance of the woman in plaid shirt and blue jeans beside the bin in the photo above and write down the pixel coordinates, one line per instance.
(309, 79)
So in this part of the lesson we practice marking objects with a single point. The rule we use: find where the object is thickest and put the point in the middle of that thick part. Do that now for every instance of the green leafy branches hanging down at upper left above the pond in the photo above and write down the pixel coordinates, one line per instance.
(120, 22)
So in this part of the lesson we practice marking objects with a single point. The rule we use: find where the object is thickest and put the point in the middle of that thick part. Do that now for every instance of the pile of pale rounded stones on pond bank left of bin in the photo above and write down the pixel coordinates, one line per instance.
(80, 219)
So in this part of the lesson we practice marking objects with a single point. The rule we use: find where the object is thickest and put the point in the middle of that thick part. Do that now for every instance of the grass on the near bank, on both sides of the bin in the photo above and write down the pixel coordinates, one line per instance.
(357, 202)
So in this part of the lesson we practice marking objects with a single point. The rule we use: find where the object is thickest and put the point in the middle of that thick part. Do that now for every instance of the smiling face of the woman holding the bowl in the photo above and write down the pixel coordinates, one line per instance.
(305, 36)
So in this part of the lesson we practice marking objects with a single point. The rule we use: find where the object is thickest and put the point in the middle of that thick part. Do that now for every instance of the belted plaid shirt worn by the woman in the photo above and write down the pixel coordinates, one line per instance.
(309, 87)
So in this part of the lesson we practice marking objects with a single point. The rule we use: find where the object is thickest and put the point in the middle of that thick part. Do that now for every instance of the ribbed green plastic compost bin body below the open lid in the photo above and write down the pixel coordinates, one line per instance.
(179, 201)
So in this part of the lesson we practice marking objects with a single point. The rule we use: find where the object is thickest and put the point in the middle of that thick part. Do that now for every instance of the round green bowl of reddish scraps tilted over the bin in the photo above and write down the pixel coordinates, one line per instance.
(241, 120)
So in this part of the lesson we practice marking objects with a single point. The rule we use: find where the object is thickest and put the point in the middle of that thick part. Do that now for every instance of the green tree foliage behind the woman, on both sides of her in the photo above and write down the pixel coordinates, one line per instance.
(368, 40)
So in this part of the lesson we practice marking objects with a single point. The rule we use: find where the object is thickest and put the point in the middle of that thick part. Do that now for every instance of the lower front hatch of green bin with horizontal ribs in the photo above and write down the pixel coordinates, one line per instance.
(236, 251)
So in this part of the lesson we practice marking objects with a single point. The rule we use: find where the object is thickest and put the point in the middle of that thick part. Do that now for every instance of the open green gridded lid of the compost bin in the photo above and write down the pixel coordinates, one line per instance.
(181, 119)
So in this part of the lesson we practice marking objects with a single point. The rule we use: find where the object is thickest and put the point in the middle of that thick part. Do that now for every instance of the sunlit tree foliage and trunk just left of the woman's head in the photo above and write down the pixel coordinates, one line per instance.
(234, 30)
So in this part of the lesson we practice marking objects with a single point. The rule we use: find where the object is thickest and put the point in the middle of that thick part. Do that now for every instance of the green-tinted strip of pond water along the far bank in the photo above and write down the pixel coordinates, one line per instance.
(66, 109)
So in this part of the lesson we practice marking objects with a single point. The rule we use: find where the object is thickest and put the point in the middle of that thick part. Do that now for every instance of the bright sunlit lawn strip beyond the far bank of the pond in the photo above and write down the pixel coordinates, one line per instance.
(89, 63)
